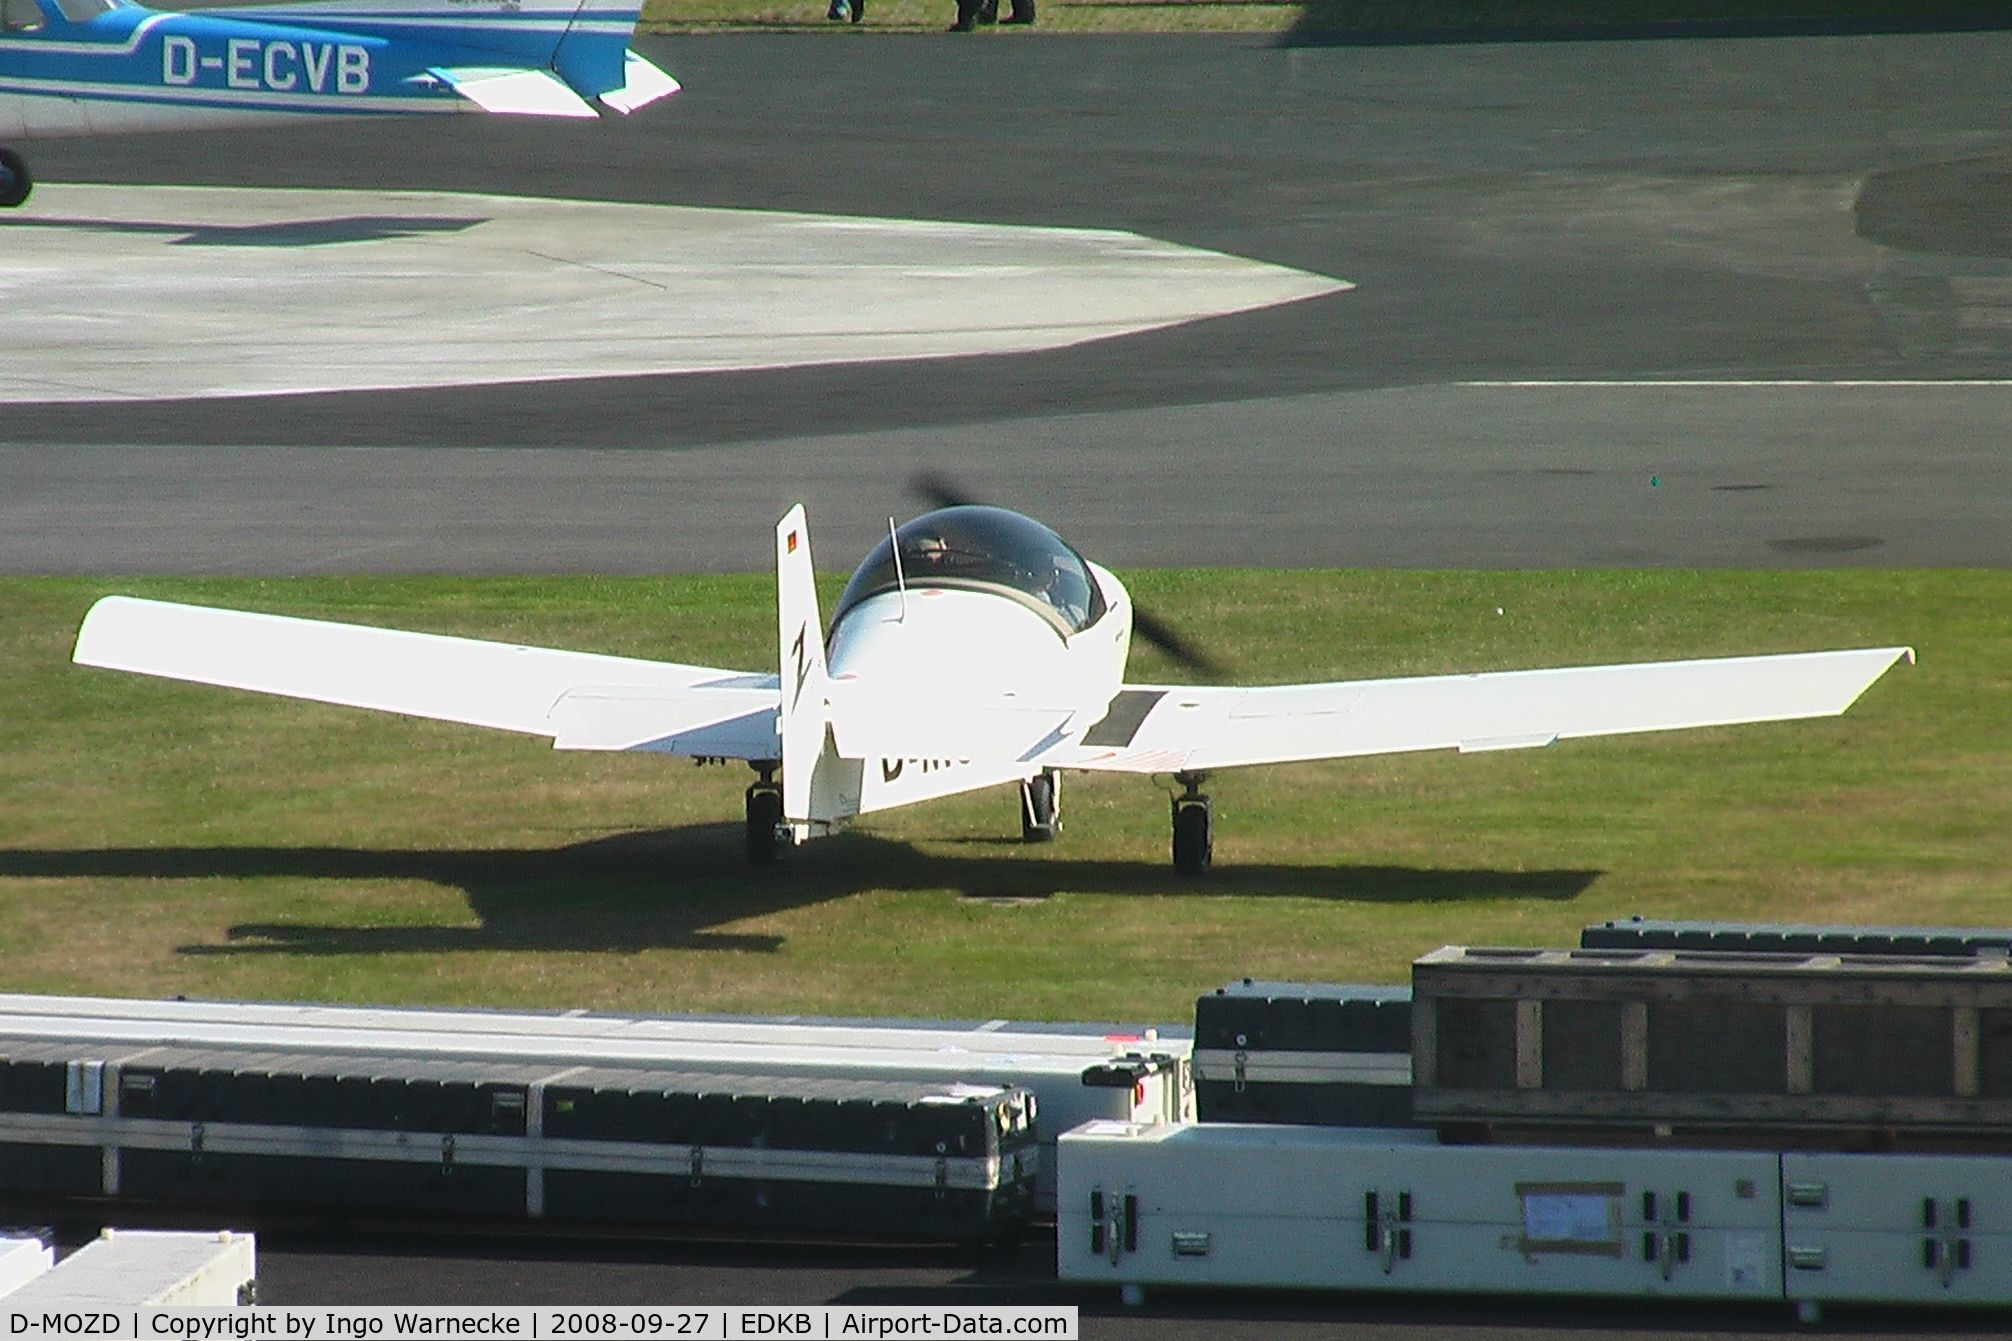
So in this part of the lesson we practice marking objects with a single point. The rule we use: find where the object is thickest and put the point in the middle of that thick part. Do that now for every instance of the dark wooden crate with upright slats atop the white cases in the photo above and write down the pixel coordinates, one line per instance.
(1705, 1038)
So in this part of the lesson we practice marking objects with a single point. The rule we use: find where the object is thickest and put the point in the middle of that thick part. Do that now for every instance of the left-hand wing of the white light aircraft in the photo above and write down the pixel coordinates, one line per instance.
(578, 699)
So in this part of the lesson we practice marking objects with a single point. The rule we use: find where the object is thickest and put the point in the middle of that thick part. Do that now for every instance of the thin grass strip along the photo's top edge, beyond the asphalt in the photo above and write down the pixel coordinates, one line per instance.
(1335, 19)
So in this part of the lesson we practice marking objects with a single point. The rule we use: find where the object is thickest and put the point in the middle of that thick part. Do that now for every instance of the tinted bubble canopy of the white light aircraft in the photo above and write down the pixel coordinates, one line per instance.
(983, 550)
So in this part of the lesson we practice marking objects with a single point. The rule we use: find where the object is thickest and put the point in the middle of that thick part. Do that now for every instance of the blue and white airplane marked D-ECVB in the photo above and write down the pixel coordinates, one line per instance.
(106, 67)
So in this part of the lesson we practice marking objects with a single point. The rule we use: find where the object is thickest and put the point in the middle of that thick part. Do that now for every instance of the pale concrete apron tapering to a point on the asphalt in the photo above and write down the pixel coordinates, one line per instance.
(186, 293)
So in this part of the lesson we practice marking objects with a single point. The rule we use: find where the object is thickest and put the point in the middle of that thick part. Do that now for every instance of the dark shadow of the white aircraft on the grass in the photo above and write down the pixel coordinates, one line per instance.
(685, 888)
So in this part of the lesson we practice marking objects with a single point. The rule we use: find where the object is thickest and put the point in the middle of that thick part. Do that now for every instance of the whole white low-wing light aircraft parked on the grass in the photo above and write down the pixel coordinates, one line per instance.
(971, 648)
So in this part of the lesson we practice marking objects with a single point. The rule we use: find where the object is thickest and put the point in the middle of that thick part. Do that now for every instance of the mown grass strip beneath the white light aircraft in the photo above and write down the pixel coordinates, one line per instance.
(168, 837)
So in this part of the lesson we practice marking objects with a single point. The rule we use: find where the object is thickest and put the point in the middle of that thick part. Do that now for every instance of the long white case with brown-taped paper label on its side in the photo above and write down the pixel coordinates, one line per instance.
(1299, 1207)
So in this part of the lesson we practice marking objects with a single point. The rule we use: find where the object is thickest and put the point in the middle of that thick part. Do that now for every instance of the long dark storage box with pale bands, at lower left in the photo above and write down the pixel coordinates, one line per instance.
(448, 1137)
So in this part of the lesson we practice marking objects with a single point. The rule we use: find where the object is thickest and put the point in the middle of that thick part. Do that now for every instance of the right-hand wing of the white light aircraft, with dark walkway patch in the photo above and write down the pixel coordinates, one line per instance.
(1172, 729)
